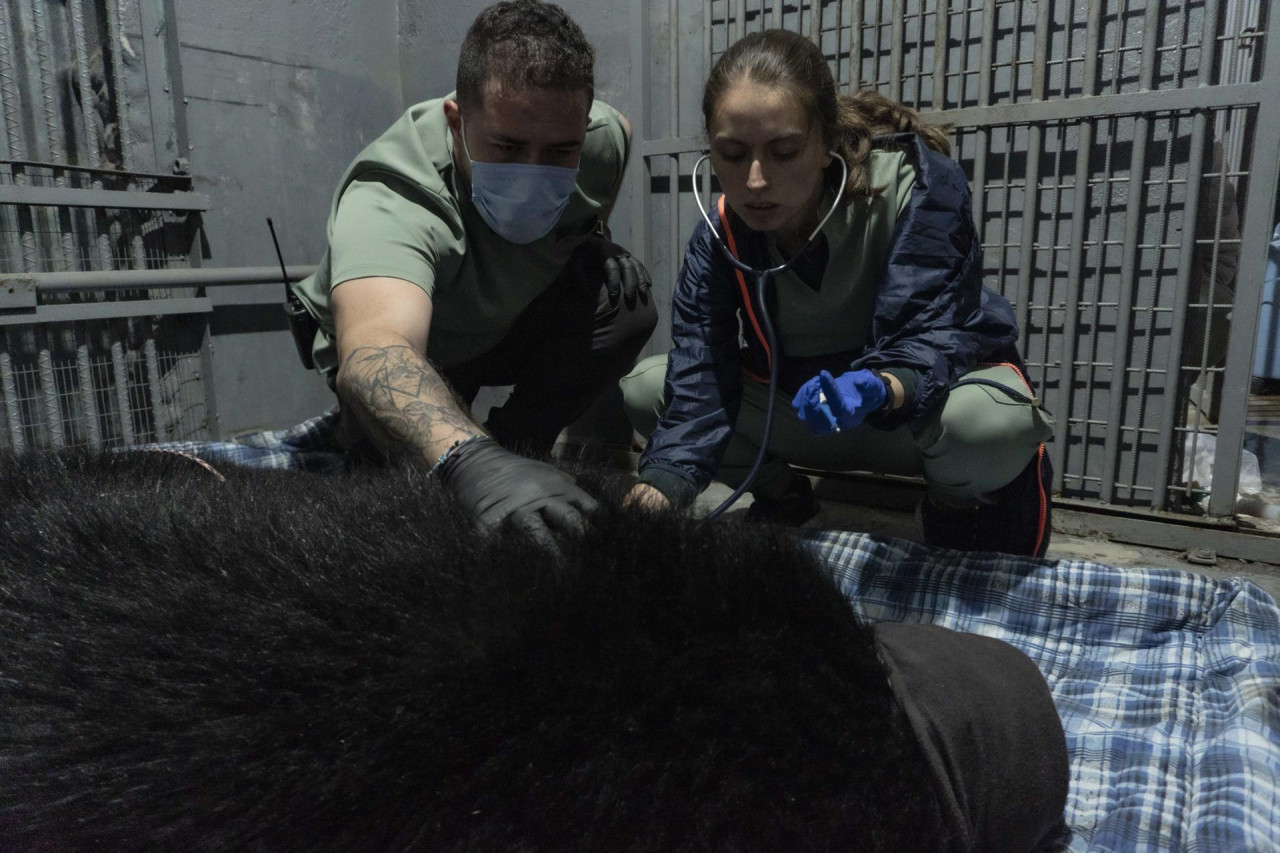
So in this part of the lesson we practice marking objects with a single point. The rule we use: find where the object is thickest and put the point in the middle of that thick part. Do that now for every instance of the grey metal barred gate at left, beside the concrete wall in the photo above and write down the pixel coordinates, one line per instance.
(95, 200)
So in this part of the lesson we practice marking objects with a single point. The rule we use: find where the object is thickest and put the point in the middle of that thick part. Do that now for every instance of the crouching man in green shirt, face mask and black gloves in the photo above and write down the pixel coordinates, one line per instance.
(468, 247)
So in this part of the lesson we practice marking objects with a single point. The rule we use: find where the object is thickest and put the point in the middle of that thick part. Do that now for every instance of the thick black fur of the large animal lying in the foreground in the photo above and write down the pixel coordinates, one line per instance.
(286, 662)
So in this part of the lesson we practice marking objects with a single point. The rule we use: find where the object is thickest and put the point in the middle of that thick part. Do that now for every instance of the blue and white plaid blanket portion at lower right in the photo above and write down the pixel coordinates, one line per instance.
(1168, 683)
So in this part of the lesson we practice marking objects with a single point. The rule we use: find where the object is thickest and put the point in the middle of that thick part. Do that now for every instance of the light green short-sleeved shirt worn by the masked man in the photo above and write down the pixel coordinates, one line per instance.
(404, 212)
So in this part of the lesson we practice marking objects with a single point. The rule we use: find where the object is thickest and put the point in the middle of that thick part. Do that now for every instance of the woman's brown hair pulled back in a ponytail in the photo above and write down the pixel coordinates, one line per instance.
(849, 122)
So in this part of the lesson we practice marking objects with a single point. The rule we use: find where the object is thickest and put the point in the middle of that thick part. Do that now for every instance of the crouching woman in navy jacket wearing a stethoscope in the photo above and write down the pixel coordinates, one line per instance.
(894, 357)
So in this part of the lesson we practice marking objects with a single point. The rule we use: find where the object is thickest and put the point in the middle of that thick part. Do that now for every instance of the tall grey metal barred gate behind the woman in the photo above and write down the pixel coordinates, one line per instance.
(1123, 157)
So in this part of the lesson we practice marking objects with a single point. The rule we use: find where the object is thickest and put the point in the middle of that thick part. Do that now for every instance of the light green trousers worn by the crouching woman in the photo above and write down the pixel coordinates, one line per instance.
(976, 443)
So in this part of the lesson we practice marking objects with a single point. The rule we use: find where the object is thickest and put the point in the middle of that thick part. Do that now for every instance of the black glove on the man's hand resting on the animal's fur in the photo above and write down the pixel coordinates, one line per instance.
(497, 486)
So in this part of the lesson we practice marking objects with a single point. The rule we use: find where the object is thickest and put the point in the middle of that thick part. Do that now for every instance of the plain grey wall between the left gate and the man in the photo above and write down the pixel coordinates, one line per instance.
(280, 99)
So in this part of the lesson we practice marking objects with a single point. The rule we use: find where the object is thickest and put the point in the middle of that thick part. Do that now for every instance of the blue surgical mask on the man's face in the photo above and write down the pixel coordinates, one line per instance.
(522, 202)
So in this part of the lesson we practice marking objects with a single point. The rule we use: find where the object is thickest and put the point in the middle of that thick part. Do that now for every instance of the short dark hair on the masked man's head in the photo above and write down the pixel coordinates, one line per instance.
(523, 44)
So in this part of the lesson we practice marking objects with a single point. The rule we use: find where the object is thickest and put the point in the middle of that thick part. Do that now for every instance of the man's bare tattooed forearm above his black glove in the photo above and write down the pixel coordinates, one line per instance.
(401, 399)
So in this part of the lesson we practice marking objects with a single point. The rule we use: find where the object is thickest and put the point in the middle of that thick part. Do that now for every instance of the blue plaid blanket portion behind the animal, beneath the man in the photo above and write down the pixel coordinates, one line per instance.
(312, 446)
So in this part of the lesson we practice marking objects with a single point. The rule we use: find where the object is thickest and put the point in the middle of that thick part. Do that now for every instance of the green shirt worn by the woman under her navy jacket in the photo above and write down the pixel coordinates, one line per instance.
(835, 318)
